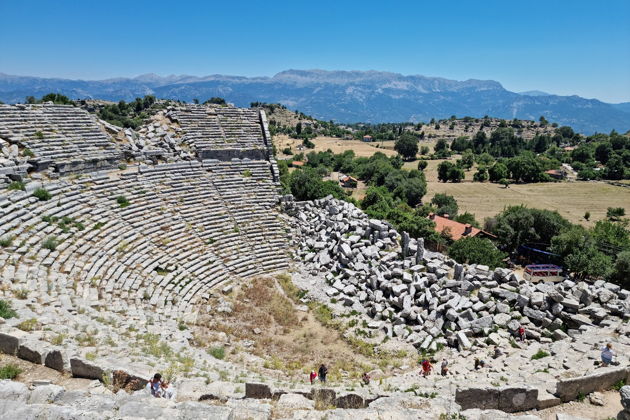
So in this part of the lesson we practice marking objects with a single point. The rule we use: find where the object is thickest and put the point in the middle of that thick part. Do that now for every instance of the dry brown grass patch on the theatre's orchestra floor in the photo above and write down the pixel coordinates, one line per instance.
(289, 339)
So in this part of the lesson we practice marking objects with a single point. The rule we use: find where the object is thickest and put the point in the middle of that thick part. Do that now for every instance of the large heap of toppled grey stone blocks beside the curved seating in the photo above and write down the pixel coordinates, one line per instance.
(428, 299)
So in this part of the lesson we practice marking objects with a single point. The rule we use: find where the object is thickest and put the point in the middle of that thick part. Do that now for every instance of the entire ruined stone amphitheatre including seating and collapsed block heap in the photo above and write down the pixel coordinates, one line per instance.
(111, 238)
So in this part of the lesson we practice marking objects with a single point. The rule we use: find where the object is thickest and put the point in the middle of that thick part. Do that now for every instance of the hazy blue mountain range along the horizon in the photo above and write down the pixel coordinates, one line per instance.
(344, 96)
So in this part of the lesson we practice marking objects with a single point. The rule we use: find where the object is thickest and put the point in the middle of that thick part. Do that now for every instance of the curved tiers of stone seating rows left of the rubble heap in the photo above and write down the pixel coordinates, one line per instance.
(161, 234)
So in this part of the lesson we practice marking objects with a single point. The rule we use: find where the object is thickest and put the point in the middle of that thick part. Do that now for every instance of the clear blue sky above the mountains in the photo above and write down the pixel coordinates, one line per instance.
(562, 47)
